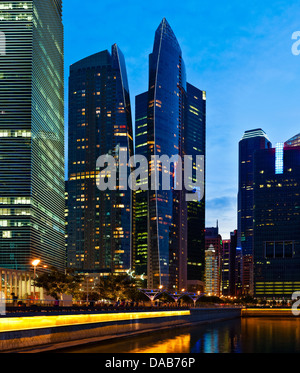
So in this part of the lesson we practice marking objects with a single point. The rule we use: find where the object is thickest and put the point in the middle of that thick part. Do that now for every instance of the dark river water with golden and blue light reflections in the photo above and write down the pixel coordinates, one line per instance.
(248, 335)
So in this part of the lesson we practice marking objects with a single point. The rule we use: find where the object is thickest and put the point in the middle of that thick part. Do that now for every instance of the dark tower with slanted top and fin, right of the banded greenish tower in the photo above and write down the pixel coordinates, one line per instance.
(99, 222)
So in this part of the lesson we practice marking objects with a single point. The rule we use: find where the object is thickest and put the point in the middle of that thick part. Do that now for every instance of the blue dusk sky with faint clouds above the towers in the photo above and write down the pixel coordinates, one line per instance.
(237, 51)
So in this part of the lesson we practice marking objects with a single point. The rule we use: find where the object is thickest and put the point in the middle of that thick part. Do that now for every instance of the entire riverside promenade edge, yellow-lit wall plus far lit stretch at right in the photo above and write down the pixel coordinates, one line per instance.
(38, 329)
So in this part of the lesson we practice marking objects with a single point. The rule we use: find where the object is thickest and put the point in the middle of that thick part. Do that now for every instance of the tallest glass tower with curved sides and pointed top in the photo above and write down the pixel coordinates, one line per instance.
(166, 96)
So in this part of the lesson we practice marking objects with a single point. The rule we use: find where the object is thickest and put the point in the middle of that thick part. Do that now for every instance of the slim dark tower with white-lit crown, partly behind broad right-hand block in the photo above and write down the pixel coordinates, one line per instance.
(252, 140)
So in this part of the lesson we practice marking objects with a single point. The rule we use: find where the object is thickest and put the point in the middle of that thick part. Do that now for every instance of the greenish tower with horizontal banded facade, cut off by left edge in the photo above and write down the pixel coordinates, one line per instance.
(32, 135)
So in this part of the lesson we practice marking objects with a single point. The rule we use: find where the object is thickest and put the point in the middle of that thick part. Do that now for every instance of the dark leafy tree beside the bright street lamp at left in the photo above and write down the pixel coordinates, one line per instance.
(56, 283)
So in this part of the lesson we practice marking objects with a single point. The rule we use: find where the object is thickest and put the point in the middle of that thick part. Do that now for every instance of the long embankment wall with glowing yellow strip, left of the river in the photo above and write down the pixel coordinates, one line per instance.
(45, 333)
